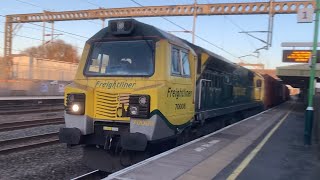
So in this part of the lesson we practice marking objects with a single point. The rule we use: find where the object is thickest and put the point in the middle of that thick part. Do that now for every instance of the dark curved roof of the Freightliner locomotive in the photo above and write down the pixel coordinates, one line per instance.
(143, 31)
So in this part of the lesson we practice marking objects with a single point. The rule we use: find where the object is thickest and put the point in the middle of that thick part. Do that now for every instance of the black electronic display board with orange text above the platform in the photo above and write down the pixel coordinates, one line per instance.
(298, 56)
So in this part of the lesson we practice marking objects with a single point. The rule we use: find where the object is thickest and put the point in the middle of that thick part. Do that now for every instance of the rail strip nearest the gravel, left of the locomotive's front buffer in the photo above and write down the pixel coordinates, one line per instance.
(24, 143)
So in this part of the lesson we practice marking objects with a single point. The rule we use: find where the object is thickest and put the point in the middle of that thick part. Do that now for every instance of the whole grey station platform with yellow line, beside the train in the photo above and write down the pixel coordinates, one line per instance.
(268, 145)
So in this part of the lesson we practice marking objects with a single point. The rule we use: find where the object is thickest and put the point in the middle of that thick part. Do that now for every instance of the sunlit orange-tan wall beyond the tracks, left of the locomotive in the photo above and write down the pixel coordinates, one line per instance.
(29, 76)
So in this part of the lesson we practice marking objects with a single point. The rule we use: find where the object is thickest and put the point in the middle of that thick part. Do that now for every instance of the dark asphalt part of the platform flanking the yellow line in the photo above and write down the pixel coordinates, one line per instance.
(284, 155)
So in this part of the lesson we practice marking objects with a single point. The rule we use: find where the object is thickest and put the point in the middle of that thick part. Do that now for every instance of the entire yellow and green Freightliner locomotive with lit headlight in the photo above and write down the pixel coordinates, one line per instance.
(138, 85)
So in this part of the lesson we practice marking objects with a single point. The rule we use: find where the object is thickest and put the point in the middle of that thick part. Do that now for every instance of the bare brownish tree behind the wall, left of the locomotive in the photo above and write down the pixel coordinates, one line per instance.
(56, 50)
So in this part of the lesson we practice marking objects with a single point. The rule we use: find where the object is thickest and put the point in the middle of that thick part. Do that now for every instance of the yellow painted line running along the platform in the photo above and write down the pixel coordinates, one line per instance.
(255, 151)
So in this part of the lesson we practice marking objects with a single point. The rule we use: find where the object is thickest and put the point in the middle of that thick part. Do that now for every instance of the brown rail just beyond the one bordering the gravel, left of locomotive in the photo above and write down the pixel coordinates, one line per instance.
(32, 123)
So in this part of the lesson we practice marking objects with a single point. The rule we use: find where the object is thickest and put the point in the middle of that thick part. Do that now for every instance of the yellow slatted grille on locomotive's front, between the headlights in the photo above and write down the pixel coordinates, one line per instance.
(107, 104)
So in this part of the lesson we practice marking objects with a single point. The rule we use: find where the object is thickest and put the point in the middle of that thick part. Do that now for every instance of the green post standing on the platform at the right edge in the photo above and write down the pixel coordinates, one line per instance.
(309, 110)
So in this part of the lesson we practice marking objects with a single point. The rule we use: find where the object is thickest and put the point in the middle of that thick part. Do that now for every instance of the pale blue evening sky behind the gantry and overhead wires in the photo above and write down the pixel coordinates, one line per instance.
(222, 31)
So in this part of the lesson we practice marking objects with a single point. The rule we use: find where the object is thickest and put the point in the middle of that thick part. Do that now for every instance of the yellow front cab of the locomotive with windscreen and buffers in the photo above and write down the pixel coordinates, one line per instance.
(134, 85)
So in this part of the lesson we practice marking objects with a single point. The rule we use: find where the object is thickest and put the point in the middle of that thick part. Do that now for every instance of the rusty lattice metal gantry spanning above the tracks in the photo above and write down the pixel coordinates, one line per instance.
(270, 8)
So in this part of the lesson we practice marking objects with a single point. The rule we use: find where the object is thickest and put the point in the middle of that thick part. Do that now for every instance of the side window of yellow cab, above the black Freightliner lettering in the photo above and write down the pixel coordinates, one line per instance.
(180, 62)
